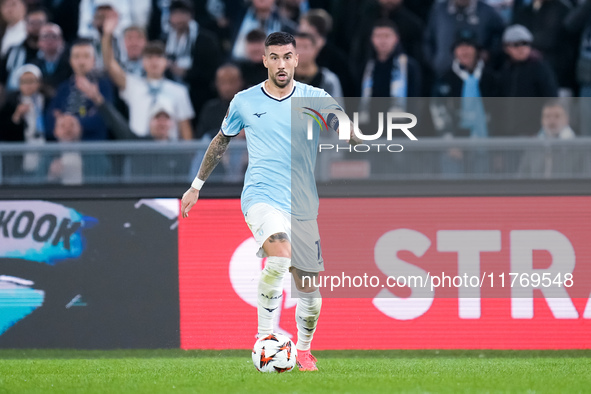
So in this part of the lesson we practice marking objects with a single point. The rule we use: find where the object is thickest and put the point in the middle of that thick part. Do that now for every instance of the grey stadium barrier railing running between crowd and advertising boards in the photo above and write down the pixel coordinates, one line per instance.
(132, 162)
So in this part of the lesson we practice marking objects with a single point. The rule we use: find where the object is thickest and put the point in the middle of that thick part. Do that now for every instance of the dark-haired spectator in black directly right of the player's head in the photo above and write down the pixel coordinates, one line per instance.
(318, 23)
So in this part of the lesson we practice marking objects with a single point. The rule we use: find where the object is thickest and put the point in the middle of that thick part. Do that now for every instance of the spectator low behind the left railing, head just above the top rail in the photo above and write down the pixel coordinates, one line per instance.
(71, 167)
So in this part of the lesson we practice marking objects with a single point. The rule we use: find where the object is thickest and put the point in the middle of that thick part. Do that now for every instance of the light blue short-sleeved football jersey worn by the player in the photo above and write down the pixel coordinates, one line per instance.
(279, 155)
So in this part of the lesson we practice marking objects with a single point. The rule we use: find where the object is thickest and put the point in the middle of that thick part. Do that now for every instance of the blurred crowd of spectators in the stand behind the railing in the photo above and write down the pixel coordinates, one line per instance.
(167, 69)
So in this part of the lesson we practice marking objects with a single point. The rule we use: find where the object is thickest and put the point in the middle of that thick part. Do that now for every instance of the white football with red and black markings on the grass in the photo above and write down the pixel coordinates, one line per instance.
(274, 353)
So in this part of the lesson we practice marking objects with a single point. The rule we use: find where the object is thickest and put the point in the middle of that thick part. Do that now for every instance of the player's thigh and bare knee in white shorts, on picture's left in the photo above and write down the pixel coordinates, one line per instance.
(271, 229)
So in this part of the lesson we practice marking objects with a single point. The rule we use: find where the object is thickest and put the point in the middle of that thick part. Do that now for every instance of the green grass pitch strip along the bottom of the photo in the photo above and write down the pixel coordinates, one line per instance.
(177, 371)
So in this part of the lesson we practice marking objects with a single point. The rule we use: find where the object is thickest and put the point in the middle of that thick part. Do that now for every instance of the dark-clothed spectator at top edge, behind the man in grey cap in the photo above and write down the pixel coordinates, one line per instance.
(545, 20)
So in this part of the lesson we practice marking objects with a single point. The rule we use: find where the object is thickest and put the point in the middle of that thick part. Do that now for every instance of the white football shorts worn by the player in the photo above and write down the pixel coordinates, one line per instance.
(306, 253)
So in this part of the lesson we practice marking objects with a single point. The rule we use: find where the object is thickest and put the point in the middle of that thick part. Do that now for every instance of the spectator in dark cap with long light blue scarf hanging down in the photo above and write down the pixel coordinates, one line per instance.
(458, 107)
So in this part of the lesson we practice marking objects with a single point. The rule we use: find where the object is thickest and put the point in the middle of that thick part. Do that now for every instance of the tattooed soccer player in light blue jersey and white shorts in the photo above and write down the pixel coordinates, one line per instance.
(264, 112)
